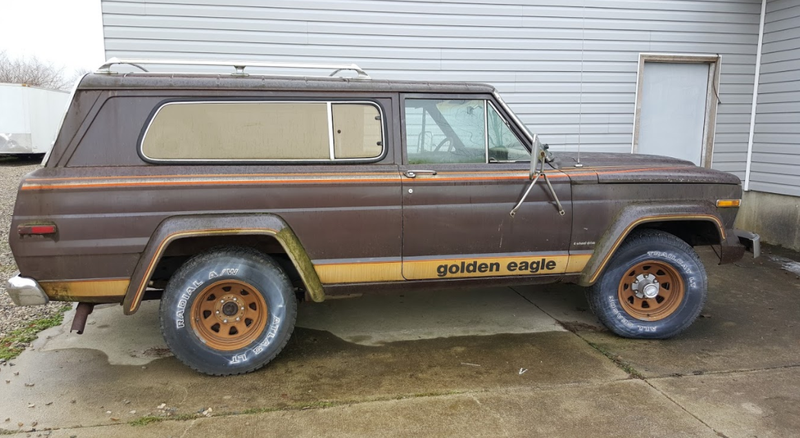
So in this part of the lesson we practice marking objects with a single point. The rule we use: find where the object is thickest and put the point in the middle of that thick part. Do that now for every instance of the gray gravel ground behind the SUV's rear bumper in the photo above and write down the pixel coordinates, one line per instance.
(12, 317)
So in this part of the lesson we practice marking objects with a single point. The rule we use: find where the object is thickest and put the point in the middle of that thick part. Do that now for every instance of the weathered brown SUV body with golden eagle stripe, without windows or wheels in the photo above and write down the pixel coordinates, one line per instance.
(124, 223)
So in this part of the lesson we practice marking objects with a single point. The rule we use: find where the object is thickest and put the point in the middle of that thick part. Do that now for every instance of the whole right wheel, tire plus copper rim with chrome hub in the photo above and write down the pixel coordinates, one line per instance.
(650, 250)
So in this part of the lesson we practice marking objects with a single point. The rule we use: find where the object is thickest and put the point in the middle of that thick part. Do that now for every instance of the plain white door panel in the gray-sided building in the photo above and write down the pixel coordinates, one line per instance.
(673, 110)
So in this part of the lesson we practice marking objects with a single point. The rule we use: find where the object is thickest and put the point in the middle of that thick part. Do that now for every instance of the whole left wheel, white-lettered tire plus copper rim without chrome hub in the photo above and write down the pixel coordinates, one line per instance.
(232, 272)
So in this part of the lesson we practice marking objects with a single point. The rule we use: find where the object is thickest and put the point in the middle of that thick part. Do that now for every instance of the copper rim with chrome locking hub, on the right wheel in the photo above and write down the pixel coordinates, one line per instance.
(651, 290)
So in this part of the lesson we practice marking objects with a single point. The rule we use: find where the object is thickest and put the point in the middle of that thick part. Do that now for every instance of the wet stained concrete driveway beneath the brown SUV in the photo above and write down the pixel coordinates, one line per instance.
(487, 362)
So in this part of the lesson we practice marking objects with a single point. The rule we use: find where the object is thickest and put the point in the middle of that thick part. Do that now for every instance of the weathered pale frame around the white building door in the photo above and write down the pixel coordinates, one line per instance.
(712, 97)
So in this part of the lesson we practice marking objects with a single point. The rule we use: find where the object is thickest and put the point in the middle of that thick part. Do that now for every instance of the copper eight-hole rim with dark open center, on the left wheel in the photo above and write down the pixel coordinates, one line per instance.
(229, 315)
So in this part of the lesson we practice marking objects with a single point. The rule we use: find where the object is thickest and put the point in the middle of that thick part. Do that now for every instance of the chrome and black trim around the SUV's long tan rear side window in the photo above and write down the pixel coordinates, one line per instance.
(329, 104)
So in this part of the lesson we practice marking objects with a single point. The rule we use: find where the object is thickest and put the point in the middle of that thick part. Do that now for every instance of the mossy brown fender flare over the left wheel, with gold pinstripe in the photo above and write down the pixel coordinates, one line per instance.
(179, 227)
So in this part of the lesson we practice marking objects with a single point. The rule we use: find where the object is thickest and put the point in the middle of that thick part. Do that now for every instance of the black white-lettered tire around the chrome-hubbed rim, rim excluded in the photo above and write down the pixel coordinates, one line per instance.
(646, 246)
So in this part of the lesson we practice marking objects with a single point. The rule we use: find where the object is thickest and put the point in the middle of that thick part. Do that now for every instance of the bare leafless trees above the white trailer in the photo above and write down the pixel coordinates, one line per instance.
(32, 71)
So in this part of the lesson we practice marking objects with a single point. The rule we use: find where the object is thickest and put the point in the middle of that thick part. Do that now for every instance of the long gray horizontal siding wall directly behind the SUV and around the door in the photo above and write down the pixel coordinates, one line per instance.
(568, 68)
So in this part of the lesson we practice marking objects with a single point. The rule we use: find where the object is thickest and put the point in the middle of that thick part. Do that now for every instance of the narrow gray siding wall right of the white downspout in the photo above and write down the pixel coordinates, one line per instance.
(776, 145)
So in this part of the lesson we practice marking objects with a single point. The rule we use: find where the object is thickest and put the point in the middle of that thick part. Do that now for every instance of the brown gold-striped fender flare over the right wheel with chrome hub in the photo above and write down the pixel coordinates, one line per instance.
(634, 216)
